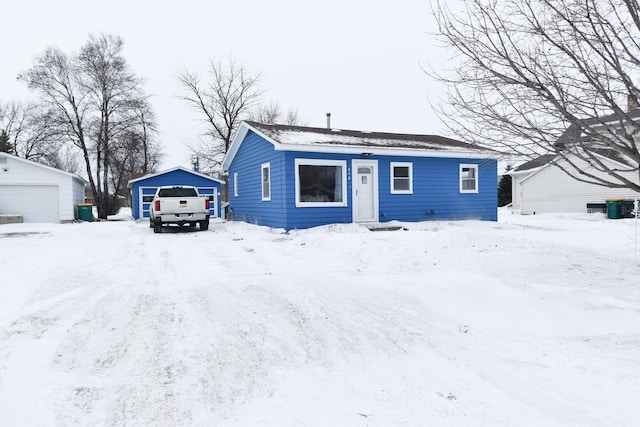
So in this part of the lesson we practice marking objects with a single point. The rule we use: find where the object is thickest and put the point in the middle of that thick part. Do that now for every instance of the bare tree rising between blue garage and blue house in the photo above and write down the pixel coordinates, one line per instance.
(224, 101)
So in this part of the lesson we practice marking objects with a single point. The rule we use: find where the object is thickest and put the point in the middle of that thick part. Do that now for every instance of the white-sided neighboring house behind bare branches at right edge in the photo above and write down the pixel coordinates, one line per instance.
(543, 185)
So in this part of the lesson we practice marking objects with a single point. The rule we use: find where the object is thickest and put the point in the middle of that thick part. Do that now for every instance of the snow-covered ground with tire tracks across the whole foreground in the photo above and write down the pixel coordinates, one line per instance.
(530, 321)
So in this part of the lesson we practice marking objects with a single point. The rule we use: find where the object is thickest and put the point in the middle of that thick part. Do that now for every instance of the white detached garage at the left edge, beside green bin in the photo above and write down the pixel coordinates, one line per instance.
(37, 192)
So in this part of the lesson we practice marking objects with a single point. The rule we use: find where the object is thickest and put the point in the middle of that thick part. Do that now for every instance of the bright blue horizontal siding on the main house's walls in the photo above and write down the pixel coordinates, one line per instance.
(436, 189)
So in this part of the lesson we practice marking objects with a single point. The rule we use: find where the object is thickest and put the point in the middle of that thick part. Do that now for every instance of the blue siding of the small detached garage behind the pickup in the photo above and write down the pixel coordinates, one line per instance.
(175, 177)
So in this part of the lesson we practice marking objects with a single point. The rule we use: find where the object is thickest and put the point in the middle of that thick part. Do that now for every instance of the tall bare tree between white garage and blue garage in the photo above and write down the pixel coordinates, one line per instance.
(94, 100)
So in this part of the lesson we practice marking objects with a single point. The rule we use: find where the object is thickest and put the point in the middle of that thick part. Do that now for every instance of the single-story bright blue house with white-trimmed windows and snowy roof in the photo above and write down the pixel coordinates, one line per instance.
(298, 177)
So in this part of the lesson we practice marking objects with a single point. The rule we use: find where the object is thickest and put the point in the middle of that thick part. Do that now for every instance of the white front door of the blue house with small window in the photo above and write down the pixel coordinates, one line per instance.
(365, 190)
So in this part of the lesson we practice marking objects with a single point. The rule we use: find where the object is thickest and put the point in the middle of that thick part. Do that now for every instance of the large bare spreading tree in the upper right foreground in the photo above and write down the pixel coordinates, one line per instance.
(547, 76)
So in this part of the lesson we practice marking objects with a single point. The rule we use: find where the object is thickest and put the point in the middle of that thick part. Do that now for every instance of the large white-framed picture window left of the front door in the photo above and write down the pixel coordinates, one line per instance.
(320, 182)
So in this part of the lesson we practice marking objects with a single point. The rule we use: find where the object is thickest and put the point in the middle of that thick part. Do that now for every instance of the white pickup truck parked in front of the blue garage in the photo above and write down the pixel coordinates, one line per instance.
(178, 204)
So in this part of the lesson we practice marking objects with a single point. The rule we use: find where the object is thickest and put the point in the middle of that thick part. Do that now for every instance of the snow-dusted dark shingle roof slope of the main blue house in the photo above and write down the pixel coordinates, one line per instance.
(298, 135)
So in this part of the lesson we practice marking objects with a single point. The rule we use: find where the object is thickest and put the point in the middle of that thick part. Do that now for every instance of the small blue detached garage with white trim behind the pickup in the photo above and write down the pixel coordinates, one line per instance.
(143, 189)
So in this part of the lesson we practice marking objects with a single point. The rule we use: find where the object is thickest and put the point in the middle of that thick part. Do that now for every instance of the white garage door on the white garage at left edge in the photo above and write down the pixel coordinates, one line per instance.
(36, 203)
